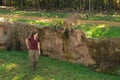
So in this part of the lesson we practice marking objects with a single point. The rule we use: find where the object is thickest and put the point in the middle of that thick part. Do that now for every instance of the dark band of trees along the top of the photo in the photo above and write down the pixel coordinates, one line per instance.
(79, 5)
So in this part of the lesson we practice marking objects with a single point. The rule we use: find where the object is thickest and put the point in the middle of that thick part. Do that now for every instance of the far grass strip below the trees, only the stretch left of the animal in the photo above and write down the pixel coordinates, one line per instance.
(35, 14)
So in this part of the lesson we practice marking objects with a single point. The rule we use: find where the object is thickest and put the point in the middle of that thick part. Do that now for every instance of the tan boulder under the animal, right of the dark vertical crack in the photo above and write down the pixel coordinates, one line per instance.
(75, 48)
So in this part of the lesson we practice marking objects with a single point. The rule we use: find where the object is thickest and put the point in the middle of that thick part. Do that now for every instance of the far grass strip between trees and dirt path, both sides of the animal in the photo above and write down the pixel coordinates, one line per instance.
(95, 17)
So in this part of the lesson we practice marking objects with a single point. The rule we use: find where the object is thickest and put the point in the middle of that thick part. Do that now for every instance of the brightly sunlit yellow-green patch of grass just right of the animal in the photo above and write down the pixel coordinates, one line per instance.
(95, 31)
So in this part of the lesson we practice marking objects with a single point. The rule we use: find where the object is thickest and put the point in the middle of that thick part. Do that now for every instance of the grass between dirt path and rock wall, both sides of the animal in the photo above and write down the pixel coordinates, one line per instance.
(91, 31)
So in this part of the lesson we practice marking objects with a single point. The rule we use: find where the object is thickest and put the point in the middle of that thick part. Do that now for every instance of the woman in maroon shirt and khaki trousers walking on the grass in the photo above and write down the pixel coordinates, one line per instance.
(33, 45)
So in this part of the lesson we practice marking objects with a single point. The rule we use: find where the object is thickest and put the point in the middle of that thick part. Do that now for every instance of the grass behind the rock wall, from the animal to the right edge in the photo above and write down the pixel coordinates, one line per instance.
(100, 31)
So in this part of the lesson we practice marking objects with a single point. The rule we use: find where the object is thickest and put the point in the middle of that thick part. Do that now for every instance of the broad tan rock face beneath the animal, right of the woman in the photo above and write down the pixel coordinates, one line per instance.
(69, 47)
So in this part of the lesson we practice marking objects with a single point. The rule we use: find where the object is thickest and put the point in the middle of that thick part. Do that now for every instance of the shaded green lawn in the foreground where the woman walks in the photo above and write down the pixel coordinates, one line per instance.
(14, 65)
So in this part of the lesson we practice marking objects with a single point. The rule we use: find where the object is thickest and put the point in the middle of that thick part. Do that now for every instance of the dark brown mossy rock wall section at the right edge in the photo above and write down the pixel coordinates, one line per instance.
(105, 52)
